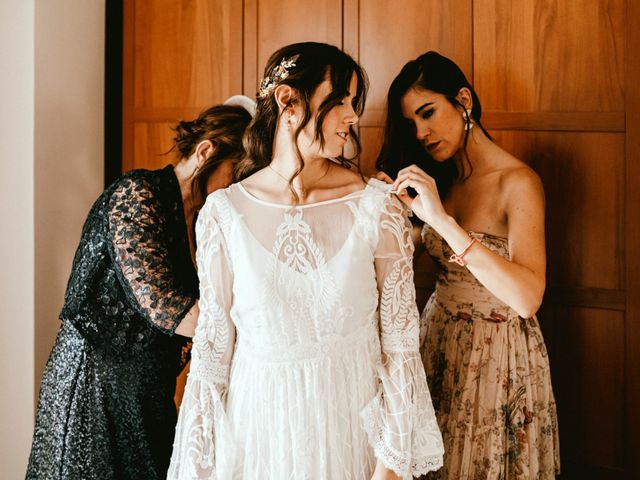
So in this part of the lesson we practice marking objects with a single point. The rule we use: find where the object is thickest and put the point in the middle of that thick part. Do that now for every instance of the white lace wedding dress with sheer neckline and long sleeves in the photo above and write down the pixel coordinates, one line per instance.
(305, 361)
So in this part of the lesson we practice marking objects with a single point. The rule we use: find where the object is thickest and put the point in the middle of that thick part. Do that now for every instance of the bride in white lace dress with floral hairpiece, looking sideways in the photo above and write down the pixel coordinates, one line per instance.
(305, 358)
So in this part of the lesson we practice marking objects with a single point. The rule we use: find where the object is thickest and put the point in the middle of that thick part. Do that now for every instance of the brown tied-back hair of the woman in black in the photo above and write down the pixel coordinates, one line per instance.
(224, 126)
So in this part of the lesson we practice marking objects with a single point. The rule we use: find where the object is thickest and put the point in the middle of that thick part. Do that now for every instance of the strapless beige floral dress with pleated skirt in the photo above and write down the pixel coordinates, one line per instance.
(488, 372)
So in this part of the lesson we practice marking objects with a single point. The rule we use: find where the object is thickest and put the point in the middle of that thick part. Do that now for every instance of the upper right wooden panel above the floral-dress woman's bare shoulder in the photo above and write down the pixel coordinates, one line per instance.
(549, 55)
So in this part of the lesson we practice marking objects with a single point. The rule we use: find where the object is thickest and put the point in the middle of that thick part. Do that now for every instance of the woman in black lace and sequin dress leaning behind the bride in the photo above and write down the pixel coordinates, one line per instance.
(106, 406)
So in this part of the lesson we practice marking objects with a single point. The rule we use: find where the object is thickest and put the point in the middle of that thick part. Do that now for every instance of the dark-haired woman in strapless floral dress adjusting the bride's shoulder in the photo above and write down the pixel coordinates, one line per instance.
(483, 214)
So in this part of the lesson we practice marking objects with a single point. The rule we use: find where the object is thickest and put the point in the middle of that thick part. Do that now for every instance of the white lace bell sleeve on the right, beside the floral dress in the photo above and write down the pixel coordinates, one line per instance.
(400, 421)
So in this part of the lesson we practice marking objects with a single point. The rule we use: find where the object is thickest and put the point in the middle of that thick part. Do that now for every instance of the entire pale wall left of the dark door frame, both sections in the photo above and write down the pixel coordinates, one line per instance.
(51, 170)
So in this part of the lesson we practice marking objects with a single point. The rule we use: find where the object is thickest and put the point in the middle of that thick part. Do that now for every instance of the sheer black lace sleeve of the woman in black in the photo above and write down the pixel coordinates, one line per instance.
(138, 231)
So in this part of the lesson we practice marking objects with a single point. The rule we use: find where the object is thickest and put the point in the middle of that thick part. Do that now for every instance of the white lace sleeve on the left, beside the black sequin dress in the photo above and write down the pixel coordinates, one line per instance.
(203, 447)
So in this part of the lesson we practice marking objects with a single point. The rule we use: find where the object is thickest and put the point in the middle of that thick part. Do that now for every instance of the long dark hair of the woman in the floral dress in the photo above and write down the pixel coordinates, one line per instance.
(430, 71)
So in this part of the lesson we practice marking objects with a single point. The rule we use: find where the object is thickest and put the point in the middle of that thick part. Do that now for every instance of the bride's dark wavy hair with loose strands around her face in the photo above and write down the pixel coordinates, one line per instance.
(315, 63)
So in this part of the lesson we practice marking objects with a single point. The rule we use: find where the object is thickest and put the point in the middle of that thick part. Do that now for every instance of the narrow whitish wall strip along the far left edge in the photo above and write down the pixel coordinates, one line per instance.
(16, 237)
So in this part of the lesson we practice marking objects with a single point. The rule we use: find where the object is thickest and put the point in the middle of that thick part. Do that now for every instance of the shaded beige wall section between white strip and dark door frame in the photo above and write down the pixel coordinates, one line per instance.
(69, 147)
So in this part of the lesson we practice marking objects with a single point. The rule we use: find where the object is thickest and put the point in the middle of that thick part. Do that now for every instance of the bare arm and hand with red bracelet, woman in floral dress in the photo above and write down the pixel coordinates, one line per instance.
(519, 282)
